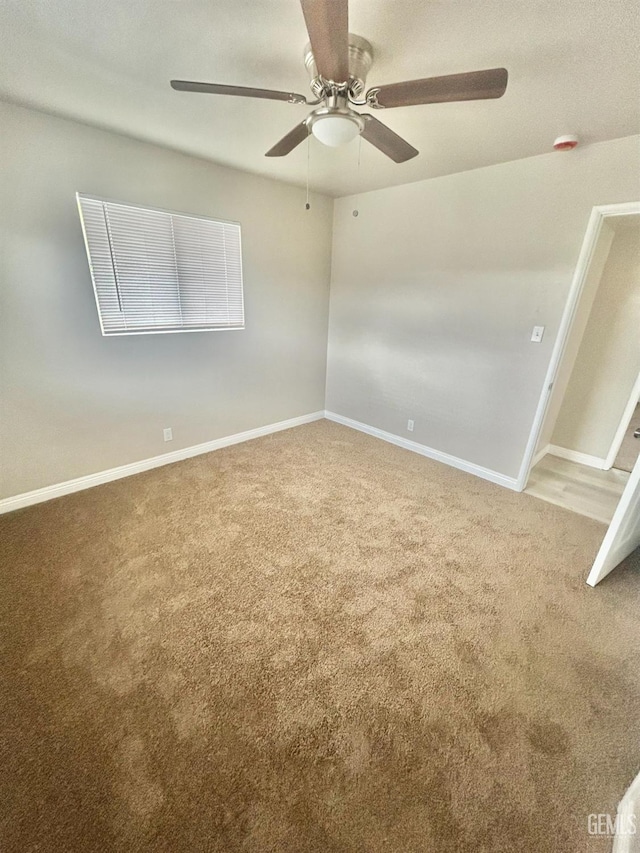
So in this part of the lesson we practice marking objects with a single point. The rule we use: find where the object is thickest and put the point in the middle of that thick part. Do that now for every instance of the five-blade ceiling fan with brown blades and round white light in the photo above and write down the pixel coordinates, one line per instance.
(338, 63)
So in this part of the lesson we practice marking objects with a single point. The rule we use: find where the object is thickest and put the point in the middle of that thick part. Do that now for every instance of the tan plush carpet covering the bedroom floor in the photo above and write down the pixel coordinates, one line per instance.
(311, 642)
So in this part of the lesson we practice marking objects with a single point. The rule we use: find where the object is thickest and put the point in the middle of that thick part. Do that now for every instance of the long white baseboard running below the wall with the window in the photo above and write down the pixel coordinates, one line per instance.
(49, 492)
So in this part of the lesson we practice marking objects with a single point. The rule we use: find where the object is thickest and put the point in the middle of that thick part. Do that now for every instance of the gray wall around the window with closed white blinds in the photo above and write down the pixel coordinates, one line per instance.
(75, 403)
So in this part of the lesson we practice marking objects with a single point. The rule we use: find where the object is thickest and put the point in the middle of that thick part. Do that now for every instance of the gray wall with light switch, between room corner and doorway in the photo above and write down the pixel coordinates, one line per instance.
(436, 287)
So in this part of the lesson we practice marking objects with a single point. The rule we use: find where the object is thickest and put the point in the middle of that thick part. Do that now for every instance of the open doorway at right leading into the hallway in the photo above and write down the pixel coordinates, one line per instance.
(583, 446)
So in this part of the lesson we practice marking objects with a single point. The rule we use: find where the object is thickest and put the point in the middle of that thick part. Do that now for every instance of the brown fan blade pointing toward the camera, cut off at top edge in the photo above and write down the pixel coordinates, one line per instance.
(328, 27)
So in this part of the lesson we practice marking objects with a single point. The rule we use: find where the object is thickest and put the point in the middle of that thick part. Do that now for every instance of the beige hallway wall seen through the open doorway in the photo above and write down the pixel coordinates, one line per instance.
(608, 361)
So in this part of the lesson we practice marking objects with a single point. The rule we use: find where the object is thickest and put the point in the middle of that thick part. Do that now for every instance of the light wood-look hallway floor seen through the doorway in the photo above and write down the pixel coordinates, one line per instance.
(587, 491)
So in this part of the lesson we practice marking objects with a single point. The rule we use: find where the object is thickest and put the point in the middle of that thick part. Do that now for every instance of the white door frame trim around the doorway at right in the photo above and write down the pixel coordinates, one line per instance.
(596, 220)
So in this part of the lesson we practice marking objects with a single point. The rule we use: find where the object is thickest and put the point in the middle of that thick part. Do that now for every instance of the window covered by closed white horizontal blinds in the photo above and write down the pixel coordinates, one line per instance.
(158, 271)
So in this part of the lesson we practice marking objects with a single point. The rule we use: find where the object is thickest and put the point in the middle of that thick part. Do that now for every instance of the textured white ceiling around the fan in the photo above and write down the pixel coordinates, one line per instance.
(573, 67)
